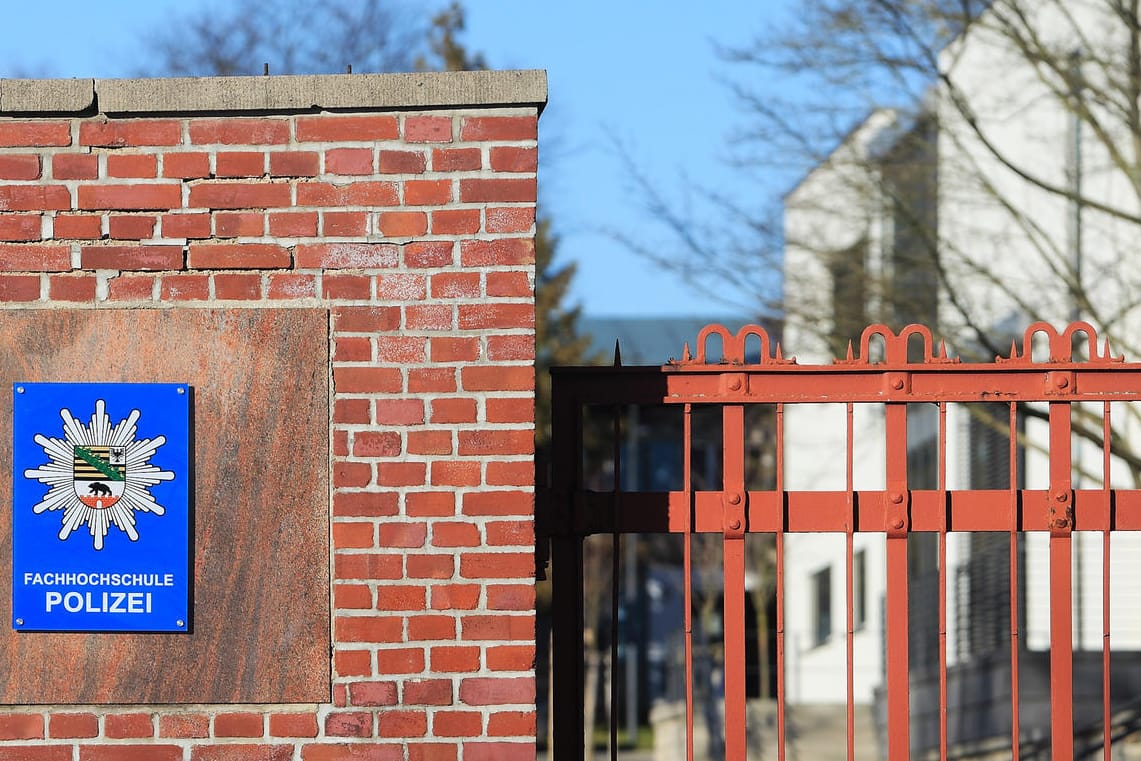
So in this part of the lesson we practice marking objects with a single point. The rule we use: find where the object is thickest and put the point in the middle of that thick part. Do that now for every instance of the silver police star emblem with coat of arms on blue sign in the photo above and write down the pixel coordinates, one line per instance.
(100, 476)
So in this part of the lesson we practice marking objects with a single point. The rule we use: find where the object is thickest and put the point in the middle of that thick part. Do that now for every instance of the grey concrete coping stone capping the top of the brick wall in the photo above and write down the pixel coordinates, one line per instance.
(304, 93)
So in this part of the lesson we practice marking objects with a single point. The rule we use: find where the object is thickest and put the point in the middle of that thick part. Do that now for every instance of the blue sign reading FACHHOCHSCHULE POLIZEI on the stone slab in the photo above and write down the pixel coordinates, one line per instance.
(101, 507)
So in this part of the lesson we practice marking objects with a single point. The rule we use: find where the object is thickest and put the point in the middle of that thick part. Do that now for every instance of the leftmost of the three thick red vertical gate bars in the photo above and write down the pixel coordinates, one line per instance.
(734, 592)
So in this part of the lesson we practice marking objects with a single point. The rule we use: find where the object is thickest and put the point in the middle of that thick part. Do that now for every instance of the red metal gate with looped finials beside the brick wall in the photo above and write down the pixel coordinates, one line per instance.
(909, 370)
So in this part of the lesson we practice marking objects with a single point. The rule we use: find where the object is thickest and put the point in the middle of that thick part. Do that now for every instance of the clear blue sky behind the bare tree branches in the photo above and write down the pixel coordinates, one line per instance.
(638, 75)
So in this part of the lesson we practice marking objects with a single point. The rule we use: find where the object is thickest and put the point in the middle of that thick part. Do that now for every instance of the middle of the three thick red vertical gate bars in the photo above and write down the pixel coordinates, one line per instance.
(897, 630)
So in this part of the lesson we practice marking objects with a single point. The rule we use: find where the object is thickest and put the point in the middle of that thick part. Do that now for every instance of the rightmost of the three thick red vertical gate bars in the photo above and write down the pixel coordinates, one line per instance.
(1062, 593)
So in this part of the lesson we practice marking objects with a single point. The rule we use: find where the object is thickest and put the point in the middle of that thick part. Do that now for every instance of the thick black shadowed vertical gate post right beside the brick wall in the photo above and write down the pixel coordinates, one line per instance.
(568, 584)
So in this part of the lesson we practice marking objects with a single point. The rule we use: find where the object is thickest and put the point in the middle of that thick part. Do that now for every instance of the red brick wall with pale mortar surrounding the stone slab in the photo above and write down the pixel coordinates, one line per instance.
(415, 228)
